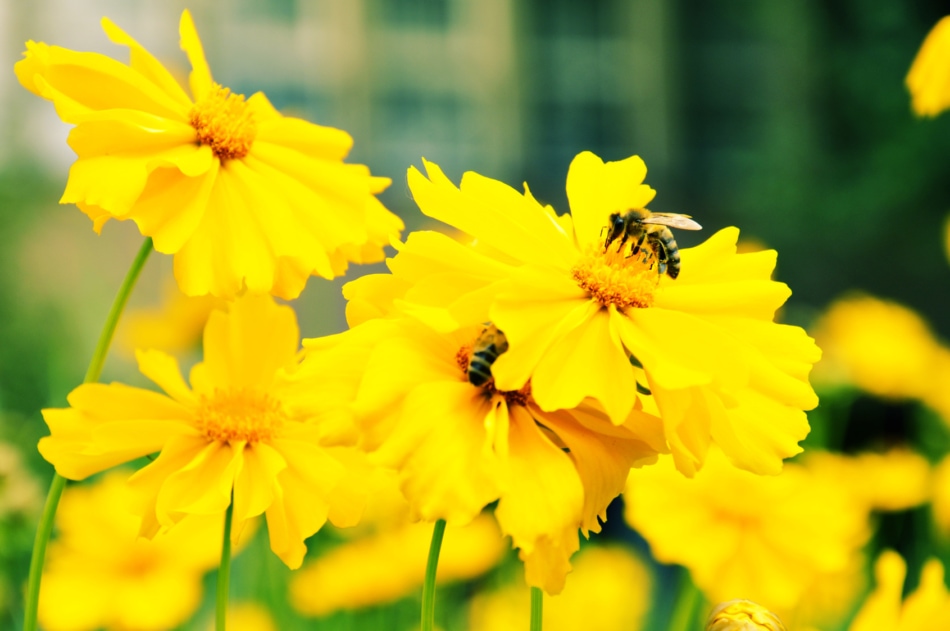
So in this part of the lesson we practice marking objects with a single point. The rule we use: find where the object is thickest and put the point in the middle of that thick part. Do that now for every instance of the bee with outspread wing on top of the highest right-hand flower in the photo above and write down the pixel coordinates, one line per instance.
(640, 226)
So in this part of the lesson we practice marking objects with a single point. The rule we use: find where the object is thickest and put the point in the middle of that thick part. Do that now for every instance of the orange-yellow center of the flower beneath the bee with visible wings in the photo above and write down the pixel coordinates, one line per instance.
(615, 276)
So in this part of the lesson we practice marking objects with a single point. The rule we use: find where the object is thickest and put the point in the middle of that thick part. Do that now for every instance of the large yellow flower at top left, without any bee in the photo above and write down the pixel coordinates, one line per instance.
(243, 196)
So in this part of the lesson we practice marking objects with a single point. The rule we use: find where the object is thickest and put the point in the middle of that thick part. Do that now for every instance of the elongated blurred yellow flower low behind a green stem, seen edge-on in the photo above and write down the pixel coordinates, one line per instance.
(390, 565)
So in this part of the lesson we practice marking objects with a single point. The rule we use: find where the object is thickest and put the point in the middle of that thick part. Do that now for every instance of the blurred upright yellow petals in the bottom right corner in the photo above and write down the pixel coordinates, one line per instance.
(928, 608)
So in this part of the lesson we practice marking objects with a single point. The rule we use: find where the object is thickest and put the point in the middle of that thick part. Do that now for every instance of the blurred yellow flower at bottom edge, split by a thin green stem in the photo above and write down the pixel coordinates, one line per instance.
(610, 589)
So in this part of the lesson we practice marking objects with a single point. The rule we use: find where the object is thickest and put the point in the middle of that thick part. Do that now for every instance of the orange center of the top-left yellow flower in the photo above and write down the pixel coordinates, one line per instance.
(224, 123)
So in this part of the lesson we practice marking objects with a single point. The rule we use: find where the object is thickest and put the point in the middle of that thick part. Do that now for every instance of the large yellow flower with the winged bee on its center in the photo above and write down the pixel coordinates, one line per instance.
(577, 314)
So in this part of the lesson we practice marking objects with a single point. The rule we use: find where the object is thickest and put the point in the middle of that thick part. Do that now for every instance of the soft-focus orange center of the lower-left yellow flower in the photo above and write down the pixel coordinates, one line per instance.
(239, 415)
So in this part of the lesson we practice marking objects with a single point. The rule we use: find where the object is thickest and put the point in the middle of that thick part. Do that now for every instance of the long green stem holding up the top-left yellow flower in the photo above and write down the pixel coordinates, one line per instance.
(45, 527)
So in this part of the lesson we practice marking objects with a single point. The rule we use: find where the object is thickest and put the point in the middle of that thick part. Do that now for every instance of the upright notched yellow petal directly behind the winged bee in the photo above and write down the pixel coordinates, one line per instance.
(595, 190)
